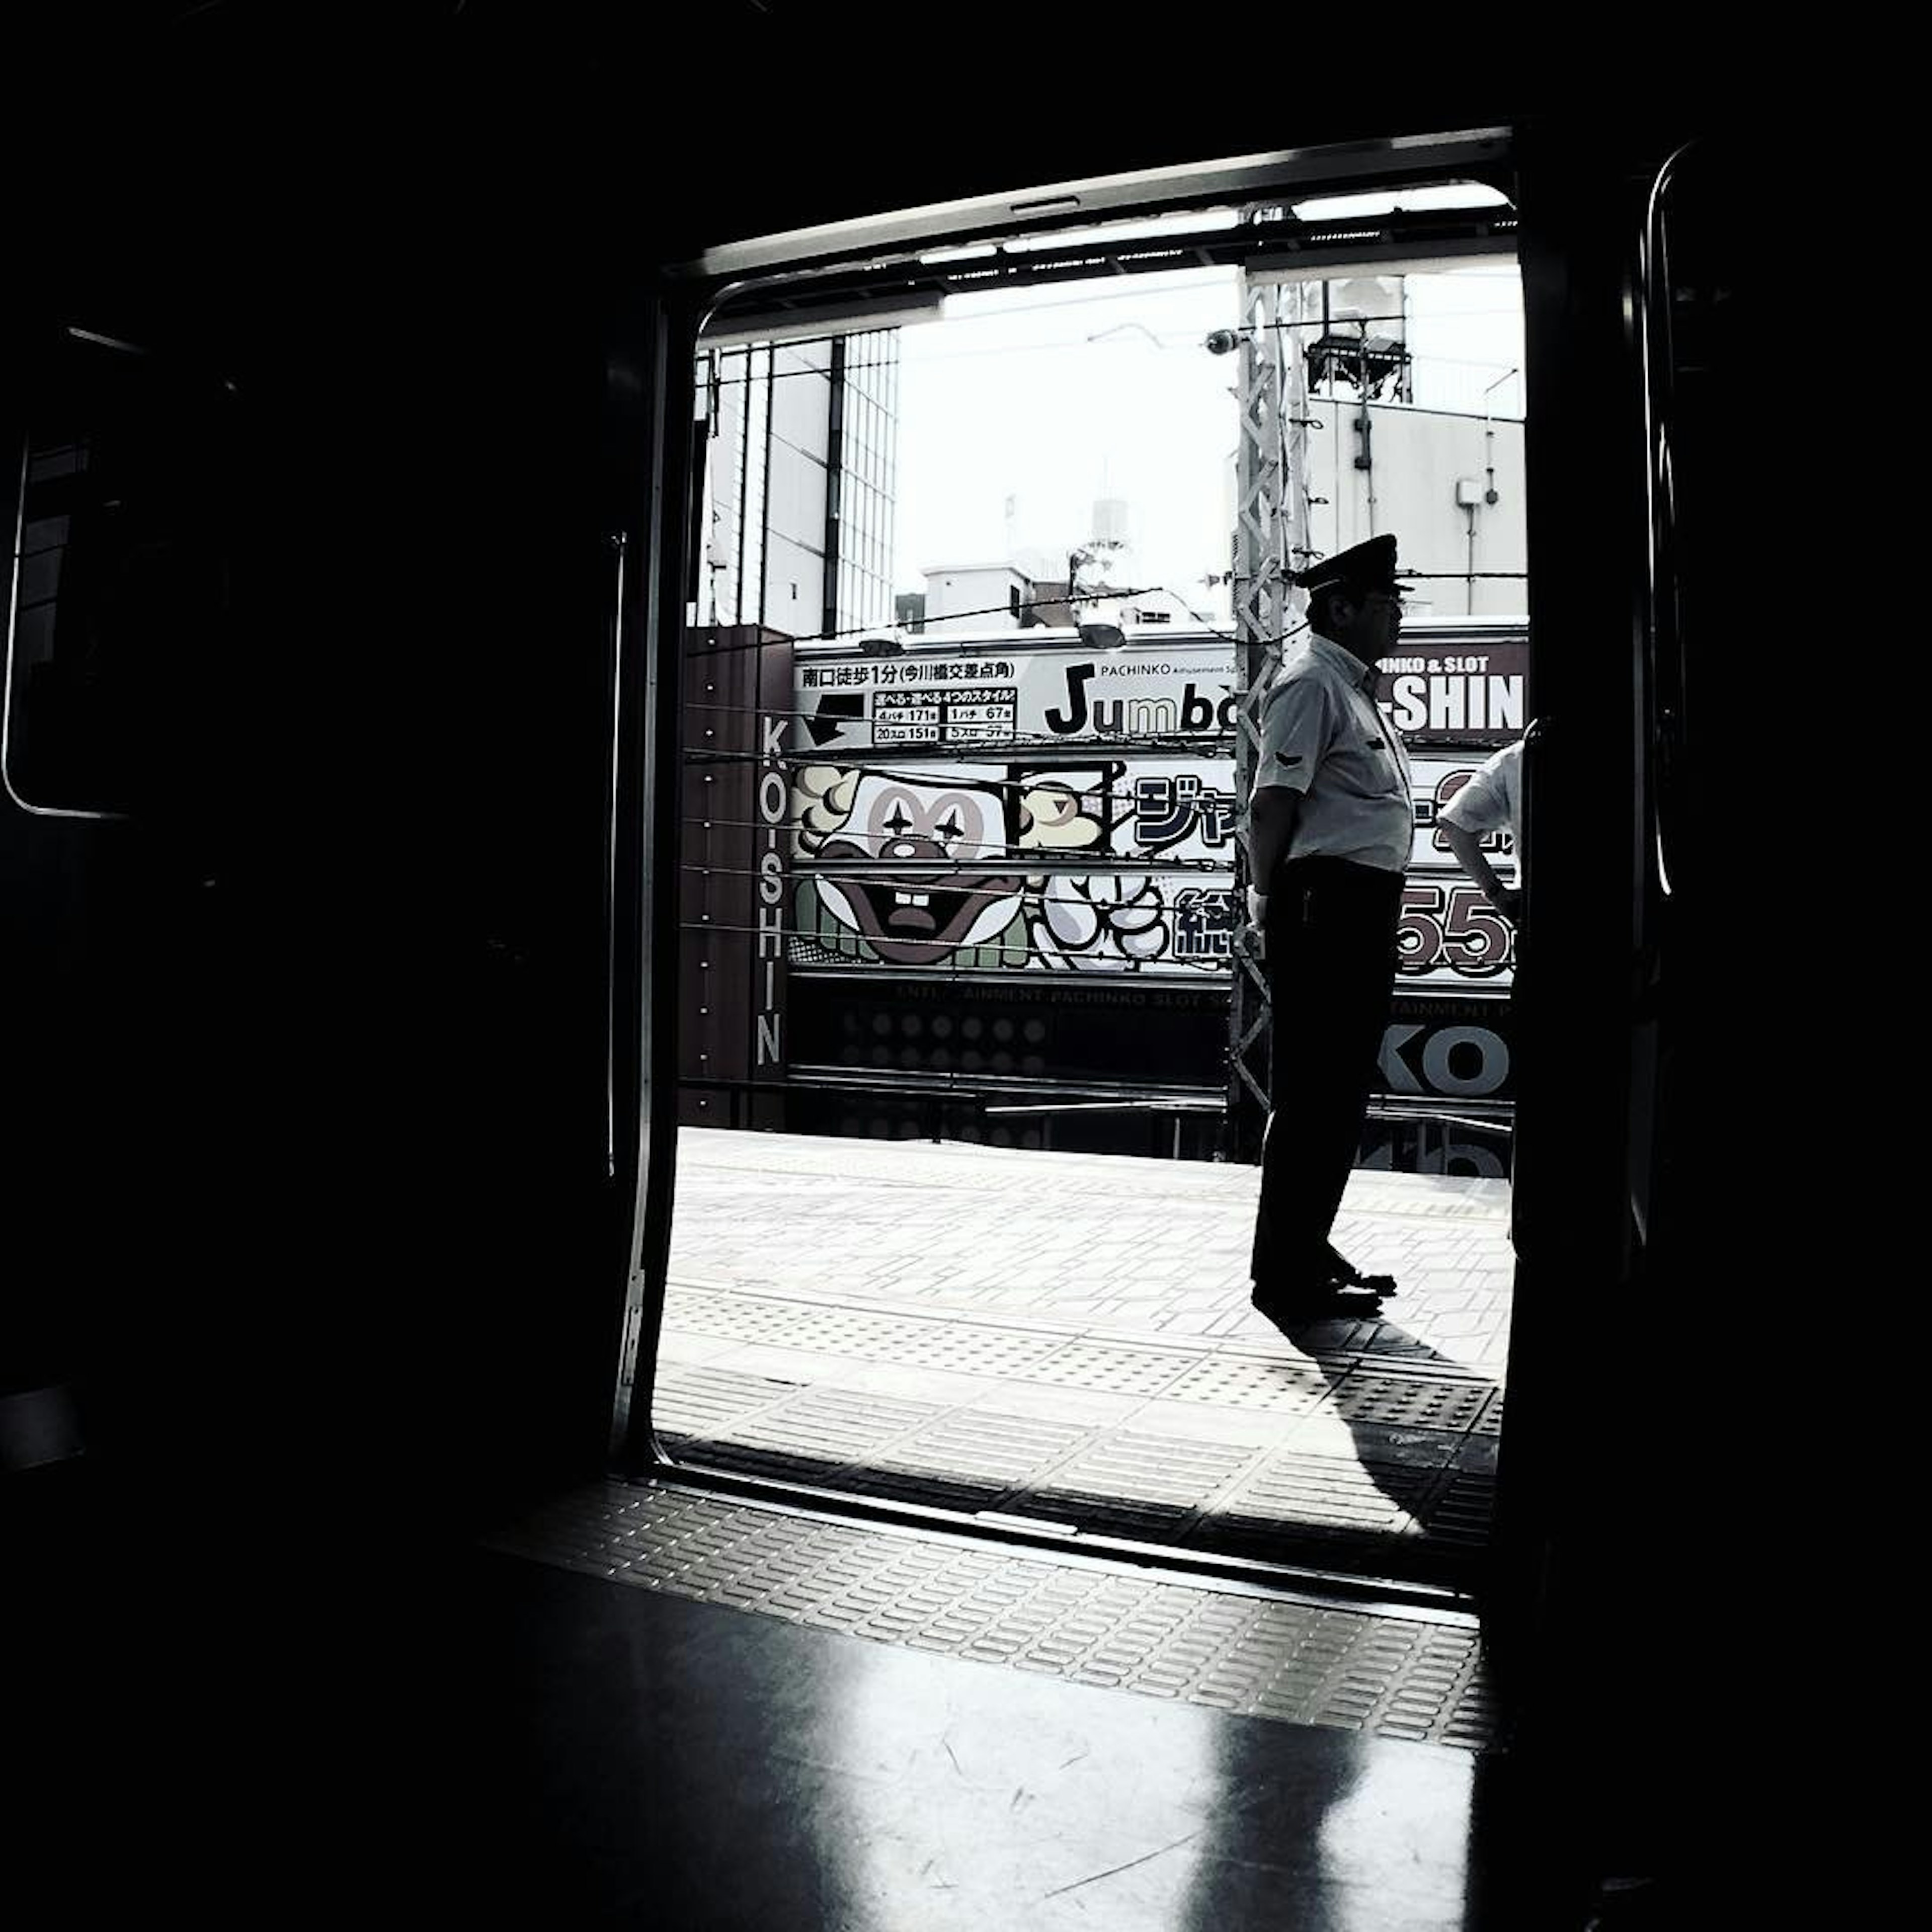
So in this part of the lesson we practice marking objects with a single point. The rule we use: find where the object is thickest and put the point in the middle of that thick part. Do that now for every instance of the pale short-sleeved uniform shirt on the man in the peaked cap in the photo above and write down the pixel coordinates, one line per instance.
(1324, 737)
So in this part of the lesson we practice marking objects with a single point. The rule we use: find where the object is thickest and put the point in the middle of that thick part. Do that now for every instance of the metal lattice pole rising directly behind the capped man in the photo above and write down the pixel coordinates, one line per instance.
(1270, 544)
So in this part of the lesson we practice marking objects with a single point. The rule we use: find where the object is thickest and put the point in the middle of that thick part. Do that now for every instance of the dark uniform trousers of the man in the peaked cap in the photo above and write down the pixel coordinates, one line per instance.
(1330, 975)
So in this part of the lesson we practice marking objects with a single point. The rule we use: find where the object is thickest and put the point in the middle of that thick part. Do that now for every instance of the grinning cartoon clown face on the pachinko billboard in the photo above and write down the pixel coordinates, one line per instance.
(942, 892)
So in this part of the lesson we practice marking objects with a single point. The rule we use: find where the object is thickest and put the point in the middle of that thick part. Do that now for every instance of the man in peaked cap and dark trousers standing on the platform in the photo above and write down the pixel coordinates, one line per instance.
(1330, 828)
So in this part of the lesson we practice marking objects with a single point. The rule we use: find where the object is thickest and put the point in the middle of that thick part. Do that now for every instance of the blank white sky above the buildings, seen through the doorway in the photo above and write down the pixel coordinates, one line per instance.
(1050, 399)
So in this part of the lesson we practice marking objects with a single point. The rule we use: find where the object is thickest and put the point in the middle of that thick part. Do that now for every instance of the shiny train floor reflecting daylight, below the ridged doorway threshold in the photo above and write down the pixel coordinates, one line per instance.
(702, 1769)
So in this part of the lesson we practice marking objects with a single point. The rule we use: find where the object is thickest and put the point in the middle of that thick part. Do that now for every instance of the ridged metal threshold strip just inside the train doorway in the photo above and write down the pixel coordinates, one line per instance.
(1299, 1662)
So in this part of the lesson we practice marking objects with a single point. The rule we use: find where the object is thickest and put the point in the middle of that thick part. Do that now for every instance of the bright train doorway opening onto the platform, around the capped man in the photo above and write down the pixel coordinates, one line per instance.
(984, 567)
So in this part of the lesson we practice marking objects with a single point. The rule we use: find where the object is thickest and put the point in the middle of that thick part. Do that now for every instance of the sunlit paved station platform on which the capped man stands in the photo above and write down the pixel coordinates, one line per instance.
(1069, 1340)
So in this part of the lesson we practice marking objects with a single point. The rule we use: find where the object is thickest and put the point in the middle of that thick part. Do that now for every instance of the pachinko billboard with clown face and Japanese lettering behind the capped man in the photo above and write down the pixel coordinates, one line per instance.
(1025, 859)
